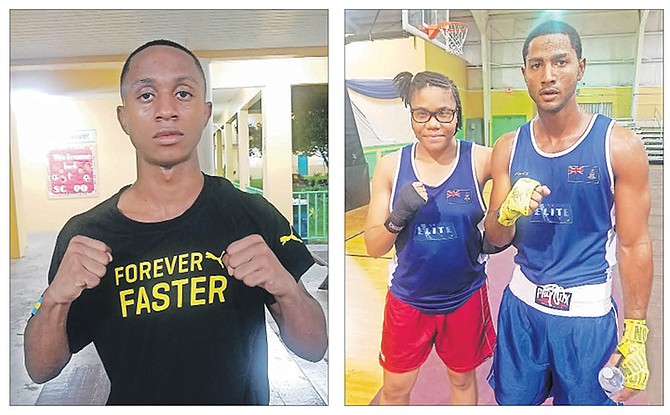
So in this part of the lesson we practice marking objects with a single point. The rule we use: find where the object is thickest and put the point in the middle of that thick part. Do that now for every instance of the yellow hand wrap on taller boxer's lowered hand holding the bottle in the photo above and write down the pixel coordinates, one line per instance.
(632, 348)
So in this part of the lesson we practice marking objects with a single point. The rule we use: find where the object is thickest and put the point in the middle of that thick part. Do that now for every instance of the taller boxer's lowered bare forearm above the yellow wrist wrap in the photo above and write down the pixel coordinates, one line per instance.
(636, 273)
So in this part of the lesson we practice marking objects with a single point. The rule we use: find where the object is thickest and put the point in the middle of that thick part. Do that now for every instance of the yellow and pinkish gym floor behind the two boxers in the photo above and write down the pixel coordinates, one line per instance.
(365, 289)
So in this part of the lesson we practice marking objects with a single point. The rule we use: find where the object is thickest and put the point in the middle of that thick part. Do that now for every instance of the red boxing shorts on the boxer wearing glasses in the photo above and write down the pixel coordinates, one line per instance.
(463, 339)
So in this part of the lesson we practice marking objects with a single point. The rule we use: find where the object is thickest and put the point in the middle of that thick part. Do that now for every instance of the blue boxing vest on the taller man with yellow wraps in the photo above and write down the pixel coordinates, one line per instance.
(569, 240)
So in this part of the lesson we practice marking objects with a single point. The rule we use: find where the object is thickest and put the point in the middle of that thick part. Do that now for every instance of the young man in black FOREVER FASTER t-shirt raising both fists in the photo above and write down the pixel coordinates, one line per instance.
(169, 278)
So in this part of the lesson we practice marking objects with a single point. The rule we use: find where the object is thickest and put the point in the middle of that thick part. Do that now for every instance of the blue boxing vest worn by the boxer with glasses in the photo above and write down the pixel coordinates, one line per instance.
(438, 262)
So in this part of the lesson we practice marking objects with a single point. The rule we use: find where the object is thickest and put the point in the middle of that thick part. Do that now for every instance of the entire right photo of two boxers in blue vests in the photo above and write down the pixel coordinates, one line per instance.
(504, 207)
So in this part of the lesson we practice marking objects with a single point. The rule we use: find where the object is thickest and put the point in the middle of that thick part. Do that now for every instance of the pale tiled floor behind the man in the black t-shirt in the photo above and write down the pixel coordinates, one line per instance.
(293, 381)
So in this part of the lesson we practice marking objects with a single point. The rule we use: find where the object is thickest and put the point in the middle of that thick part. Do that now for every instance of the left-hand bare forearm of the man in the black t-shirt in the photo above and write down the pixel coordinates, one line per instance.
(45, 341)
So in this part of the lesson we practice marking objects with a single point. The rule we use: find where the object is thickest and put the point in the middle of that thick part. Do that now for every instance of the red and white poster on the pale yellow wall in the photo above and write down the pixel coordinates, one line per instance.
(71, 170)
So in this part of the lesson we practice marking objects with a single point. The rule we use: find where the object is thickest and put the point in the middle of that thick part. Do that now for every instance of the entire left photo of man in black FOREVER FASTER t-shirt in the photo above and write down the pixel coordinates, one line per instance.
(168, 207)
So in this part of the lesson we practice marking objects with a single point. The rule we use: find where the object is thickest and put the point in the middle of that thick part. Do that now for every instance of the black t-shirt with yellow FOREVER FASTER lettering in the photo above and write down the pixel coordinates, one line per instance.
(169, 323)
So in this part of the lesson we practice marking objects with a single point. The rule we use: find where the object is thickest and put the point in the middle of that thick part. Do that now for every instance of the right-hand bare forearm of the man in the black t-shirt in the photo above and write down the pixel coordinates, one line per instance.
(302, 324)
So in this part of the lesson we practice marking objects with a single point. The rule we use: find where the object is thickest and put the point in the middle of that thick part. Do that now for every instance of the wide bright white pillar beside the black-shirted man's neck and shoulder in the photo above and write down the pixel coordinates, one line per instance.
(277, 147)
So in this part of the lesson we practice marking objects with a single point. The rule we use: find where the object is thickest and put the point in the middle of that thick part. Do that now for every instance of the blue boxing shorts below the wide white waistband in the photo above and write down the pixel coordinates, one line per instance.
(538, 355)
